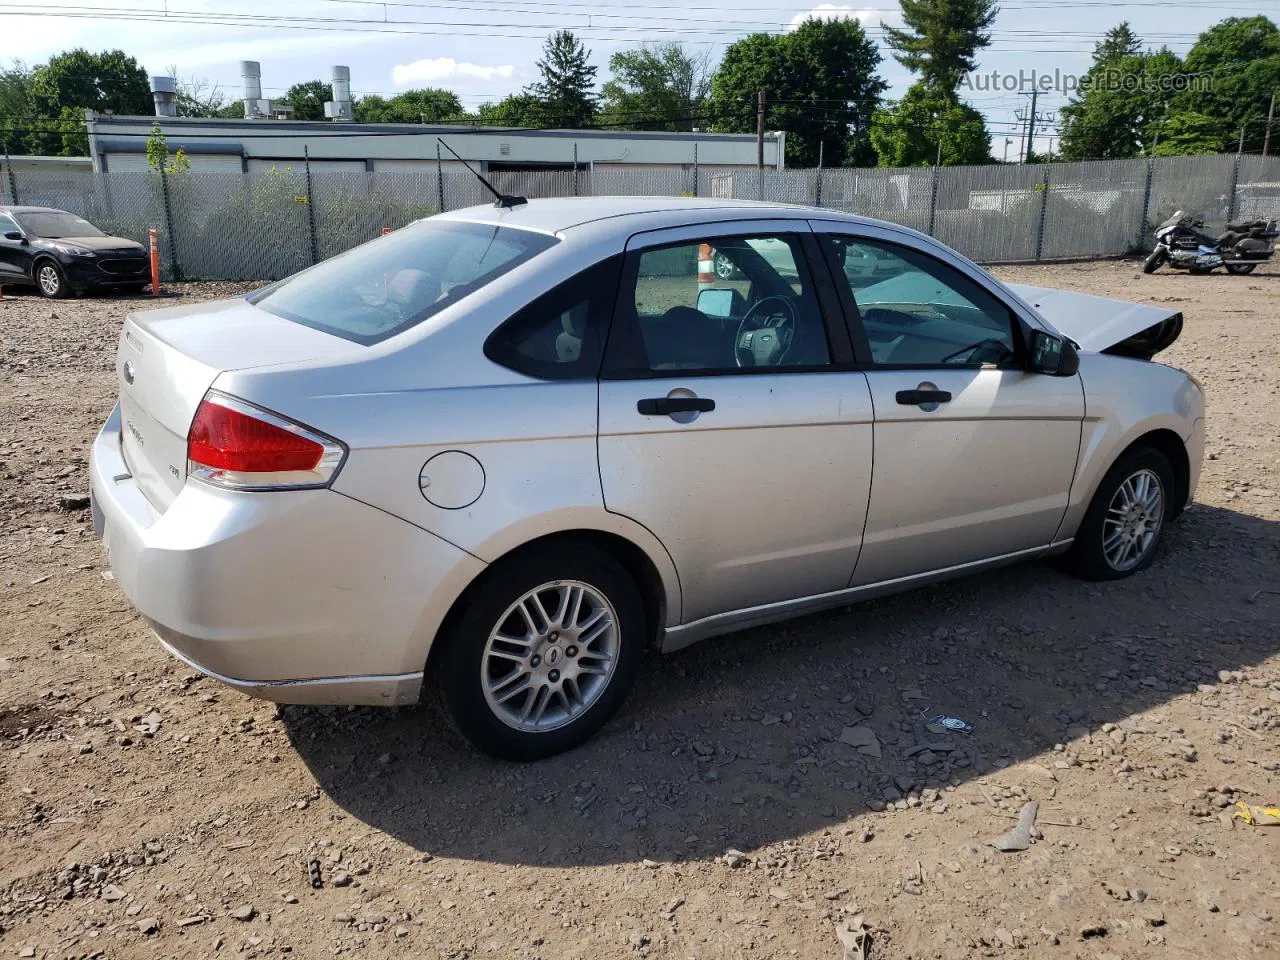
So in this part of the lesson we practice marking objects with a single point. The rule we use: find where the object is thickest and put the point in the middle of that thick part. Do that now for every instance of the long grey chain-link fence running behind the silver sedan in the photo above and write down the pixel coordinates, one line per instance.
(268, 225)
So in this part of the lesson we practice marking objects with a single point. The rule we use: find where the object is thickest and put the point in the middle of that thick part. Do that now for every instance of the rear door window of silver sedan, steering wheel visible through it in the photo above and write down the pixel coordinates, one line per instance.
(726, 304)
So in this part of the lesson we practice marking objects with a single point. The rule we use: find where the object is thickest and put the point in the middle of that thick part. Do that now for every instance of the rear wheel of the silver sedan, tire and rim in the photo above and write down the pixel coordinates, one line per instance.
(545, 652)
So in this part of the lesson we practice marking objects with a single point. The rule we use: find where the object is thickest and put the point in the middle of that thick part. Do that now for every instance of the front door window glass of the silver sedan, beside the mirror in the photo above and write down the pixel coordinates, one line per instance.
(918, 312)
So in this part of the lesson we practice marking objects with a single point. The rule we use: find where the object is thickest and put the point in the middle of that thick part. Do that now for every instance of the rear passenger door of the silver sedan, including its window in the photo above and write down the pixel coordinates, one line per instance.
(733, 423)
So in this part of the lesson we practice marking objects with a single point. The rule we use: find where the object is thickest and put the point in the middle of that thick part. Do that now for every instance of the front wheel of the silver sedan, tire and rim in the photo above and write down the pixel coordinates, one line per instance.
(1123, 527)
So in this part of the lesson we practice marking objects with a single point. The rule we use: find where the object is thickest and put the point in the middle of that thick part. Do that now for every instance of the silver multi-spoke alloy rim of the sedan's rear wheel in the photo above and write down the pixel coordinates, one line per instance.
(551, 656)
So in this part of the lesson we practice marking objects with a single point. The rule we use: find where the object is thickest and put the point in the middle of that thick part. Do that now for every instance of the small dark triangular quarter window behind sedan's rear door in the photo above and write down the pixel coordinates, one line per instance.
(561, 335)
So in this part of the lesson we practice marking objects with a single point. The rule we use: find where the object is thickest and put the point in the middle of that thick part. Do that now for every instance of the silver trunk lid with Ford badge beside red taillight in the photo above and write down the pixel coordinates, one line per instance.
(168, 360)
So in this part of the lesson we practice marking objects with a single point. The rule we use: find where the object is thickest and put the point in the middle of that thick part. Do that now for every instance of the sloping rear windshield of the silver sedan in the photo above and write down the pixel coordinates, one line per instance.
(396, 282)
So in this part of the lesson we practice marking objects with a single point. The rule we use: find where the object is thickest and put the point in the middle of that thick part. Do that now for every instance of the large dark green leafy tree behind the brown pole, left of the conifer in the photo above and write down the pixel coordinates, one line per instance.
(821, 88)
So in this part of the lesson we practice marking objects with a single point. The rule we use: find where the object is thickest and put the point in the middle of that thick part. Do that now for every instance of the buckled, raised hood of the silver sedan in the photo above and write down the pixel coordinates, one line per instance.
(1105, 326)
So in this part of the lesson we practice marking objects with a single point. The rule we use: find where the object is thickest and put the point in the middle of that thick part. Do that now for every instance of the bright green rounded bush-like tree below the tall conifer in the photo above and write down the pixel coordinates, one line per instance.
(911, 131)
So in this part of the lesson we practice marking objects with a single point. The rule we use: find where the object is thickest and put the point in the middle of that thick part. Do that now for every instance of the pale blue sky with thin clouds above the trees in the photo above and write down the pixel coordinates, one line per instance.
(484, 49)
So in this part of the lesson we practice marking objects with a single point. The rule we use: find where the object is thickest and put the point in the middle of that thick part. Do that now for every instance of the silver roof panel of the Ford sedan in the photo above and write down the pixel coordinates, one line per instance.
(560, 216)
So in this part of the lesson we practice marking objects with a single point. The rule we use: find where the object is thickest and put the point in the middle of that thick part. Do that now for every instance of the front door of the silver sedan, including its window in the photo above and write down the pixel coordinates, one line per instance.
(975, 455)
